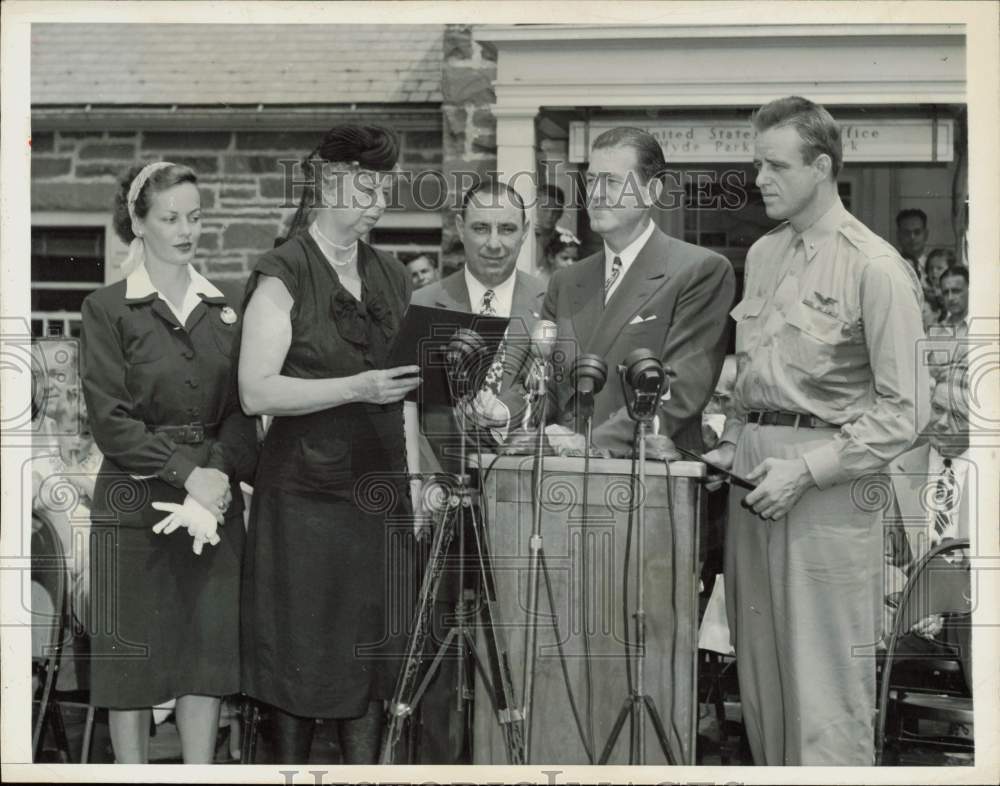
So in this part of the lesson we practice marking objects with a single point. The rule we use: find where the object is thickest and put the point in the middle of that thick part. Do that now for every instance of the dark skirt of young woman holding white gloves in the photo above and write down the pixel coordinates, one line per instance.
(164, 622)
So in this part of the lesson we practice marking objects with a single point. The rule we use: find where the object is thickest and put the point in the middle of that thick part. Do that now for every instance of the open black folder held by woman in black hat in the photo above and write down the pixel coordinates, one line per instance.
(423, 340)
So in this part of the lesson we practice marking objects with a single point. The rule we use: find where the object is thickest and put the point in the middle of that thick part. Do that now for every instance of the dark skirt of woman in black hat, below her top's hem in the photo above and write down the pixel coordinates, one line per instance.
(328, 595)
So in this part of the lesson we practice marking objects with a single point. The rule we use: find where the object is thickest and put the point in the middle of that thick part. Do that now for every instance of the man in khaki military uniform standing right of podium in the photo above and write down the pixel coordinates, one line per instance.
(826, 341)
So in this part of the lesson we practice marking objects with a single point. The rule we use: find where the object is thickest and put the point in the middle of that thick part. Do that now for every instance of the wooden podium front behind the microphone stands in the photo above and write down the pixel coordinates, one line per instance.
(674, 508)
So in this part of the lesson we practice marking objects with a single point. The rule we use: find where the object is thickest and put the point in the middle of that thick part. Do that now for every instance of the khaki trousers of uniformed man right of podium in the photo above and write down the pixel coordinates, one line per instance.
(803, 596)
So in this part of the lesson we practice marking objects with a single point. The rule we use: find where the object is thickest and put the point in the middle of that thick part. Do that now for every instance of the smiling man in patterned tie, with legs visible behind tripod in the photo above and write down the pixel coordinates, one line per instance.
(493, 225)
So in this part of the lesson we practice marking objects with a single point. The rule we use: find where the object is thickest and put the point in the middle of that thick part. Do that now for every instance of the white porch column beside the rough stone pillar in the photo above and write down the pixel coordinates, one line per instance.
(516, 165)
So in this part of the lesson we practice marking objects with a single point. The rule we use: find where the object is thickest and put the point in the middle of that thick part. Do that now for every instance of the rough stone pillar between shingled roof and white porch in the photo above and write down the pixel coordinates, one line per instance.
(469, 133)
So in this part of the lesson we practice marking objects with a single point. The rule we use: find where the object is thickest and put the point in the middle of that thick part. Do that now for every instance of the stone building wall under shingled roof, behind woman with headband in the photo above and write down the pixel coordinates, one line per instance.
(243, 184)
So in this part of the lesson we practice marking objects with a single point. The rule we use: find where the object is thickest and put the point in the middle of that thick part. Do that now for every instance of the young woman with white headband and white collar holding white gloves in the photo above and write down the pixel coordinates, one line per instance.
(161, 400)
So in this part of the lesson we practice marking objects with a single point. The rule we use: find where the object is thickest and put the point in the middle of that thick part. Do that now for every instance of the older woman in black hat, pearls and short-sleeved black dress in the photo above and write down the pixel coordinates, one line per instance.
(326, 580)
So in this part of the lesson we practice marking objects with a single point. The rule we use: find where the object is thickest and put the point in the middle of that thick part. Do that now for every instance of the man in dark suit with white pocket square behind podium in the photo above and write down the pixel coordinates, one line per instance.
(643, 289)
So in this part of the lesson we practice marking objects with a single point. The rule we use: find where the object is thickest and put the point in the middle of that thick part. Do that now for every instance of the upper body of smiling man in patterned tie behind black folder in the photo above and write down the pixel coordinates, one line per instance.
(493, 226)
